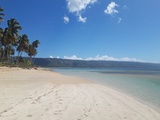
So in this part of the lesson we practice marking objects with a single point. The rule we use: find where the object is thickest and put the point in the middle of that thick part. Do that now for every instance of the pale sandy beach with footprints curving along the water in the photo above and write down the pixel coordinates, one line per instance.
(46, 95)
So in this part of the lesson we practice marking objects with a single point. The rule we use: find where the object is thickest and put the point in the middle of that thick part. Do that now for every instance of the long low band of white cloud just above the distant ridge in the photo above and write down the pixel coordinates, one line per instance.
(104, 58)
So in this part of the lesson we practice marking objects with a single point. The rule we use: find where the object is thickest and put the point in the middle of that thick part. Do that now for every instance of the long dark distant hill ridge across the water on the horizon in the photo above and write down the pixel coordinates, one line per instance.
(54, 62)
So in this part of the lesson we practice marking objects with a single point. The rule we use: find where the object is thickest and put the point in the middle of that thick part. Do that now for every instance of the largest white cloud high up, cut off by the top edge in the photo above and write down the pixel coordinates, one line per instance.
(79, 6)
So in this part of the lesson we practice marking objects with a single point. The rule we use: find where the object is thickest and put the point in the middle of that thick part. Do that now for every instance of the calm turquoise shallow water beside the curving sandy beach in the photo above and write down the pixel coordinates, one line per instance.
(143, 85)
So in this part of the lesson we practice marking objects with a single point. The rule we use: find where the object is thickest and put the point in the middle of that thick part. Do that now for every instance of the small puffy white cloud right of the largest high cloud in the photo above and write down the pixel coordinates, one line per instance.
(110, 10)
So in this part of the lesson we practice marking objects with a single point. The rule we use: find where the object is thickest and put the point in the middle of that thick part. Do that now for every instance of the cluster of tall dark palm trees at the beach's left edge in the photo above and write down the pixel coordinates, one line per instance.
(12, 43)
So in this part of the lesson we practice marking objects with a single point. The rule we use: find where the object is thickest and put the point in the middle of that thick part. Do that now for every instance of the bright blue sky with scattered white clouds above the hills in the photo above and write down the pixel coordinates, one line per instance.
(120, 30)
